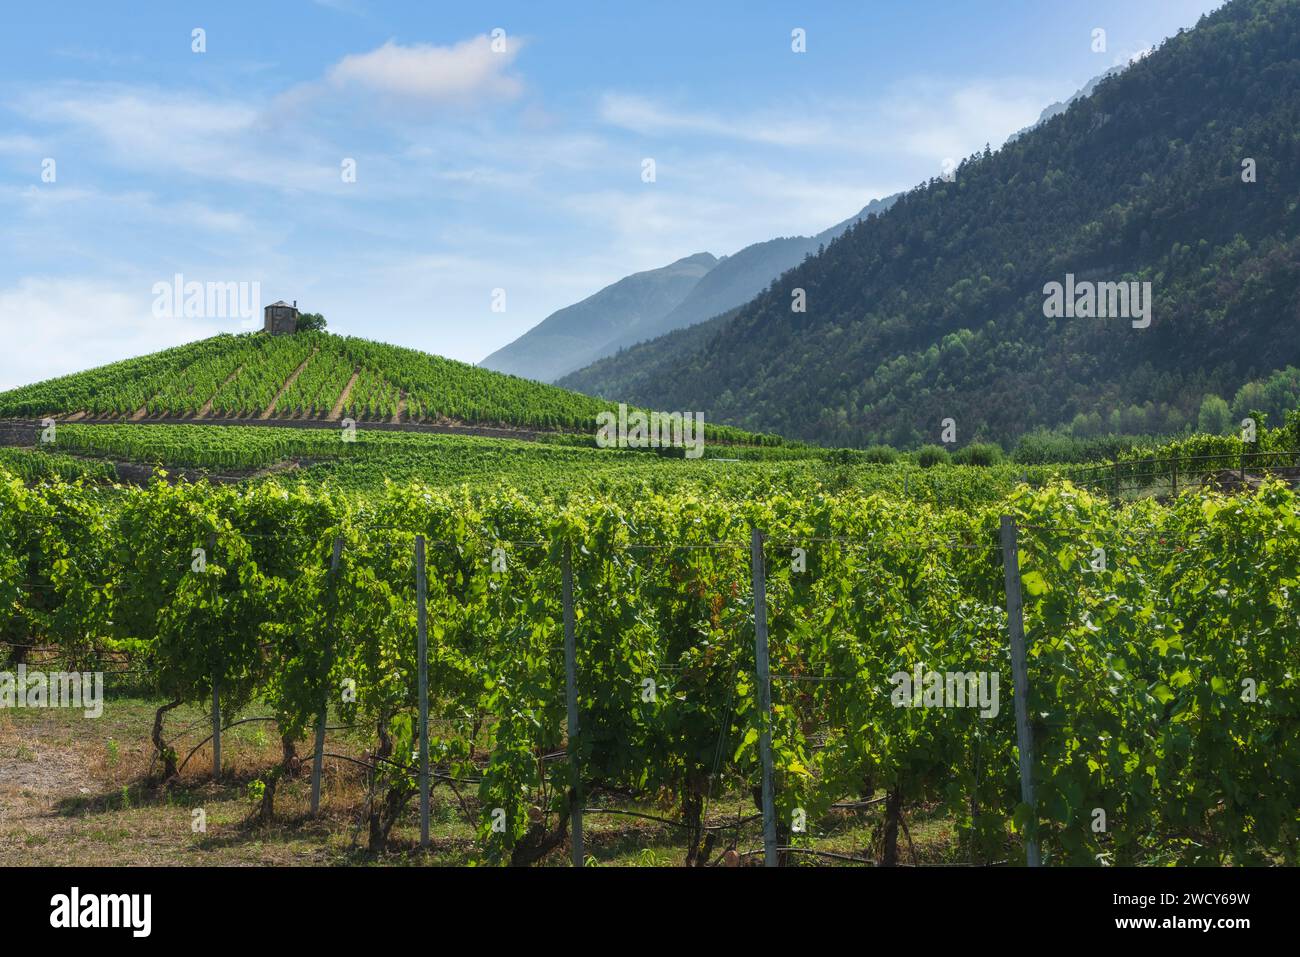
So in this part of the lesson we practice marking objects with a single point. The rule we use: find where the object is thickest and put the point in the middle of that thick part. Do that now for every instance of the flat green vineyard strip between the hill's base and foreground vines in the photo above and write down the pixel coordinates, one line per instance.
(558, 469)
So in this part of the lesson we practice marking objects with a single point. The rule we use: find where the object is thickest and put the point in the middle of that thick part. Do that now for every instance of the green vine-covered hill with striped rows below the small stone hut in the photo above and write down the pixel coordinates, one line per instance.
(304, 376)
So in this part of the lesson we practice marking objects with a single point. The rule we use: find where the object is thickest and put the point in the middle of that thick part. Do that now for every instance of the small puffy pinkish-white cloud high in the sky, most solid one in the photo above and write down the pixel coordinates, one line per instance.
(462, 73)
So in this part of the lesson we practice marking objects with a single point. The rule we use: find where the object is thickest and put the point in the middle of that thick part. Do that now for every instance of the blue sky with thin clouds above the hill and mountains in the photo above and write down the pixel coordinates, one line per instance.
(476, 170)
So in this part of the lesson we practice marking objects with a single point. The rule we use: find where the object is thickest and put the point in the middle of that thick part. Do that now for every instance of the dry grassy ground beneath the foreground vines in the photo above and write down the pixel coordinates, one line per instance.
(77, 791)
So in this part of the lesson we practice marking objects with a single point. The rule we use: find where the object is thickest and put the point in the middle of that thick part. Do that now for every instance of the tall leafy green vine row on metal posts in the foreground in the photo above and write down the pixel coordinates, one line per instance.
(1162, 652)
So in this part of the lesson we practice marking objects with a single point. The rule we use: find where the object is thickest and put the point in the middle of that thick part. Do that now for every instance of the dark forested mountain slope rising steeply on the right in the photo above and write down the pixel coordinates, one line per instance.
(938, 308)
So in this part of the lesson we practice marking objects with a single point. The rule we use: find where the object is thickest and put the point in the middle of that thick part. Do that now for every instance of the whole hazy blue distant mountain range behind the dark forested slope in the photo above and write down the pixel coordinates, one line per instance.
(642, 306)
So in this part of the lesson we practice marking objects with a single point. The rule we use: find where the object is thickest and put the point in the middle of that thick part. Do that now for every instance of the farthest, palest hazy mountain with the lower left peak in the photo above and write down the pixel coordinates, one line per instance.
(578, 335)
